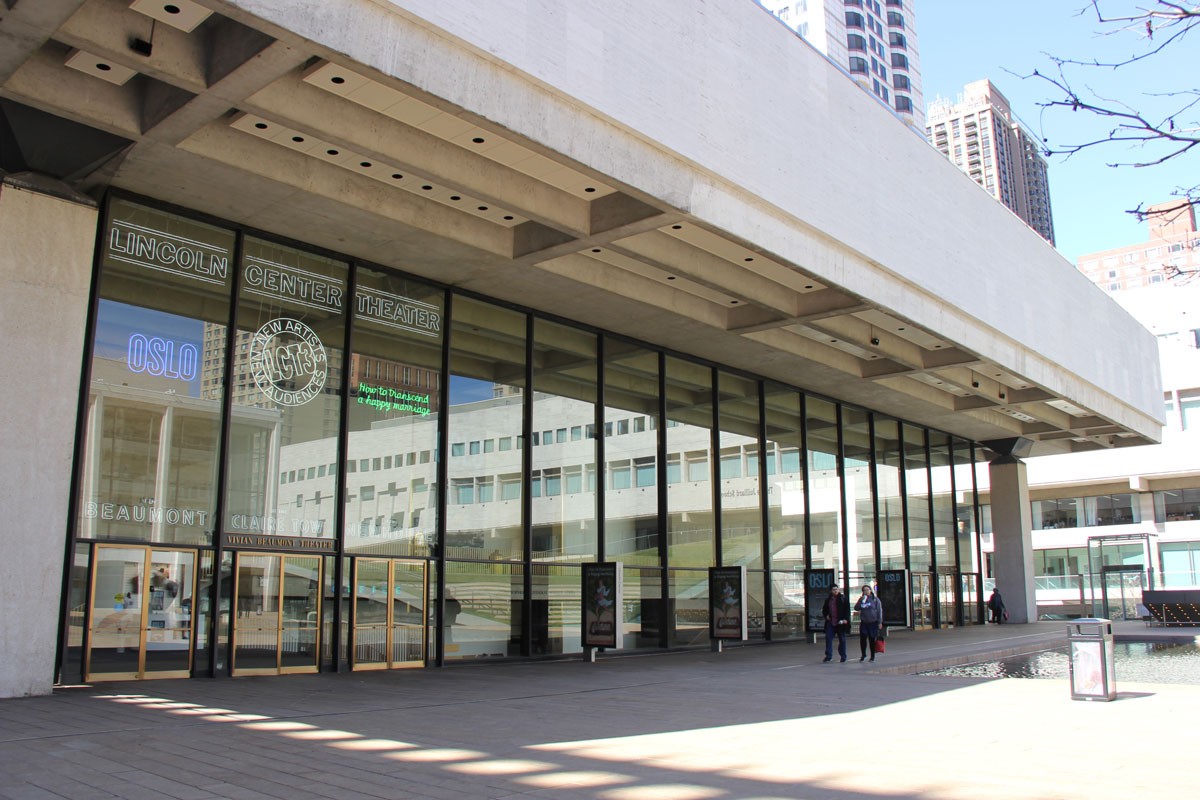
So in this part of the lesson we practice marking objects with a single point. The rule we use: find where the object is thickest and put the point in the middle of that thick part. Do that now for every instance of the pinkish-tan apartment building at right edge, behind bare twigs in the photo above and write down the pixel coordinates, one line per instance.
(1172, 251)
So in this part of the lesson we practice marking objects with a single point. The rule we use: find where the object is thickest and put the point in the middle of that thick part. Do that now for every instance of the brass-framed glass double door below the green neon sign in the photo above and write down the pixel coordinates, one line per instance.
(391, 605)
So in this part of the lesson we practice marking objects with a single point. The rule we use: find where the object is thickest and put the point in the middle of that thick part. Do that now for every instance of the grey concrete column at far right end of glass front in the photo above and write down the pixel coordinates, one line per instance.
(1012, 525)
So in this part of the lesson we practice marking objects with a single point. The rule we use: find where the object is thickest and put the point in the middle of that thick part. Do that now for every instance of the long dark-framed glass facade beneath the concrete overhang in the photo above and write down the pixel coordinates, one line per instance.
(295, 462)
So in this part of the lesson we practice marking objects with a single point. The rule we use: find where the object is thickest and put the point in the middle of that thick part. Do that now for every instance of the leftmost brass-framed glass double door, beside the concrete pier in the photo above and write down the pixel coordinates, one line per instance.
(141, 623)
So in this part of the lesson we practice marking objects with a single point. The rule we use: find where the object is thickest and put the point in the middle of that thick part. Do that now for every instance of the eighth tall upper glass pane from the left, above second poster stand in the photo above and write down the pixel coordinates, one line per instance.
(741, 512)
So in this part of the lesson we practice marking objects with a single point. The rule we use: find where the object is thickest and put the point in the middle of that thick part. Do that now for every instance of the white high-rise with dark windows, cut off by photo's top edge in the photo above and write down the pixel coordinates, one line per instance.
(875, 40)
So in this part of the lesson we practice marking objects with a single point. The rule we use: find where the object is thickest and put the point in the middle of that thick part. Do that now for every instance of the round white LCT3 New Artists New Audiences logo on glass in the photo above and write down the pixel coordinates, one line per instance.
(289, 362)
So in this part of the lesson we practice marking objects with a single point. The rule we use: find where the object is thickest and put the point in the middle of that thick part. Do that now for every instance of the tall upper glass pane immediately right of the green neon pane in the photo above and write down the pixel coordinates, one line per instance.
(488, 347)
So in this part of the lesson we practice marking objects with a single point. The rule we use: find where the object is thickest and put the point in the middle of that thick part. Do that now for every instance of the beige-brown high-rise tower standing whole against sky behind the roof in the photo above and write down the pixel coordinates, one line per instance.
(985, 139)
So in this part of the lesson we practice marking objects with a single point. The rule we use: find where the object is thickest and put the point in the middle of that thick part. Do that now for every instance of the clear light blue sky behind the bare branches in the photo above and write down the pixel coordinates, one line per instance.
(962, 41)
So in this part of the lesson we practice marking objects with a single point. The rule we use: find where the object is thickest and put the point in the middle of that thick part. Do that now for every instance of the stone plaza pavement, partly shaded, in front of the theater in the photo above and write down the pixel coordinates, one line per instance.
(748, 724)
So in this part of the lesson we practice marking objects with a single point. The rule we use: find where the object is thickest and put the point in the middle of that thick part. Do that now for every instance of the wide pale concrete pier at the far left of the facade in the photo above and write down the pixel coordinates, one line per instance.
(45, 275)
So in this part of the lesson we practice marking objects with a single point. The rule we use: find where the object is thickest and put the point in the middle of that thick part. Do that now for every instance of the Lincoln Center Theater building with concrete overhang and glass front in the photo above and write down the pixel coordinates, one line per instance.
(349, 334)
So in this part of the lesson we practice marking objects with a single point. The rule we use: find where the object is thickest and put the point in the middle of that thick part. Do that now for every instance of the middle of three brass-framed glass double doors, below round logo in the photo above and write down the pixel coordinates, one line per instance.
(278, 621)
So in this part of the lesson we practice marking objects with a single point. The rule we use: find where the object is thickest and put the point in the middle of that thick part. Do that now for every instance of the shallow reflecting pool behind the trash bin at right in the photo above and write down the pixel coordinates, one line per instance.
(1150, 663)
